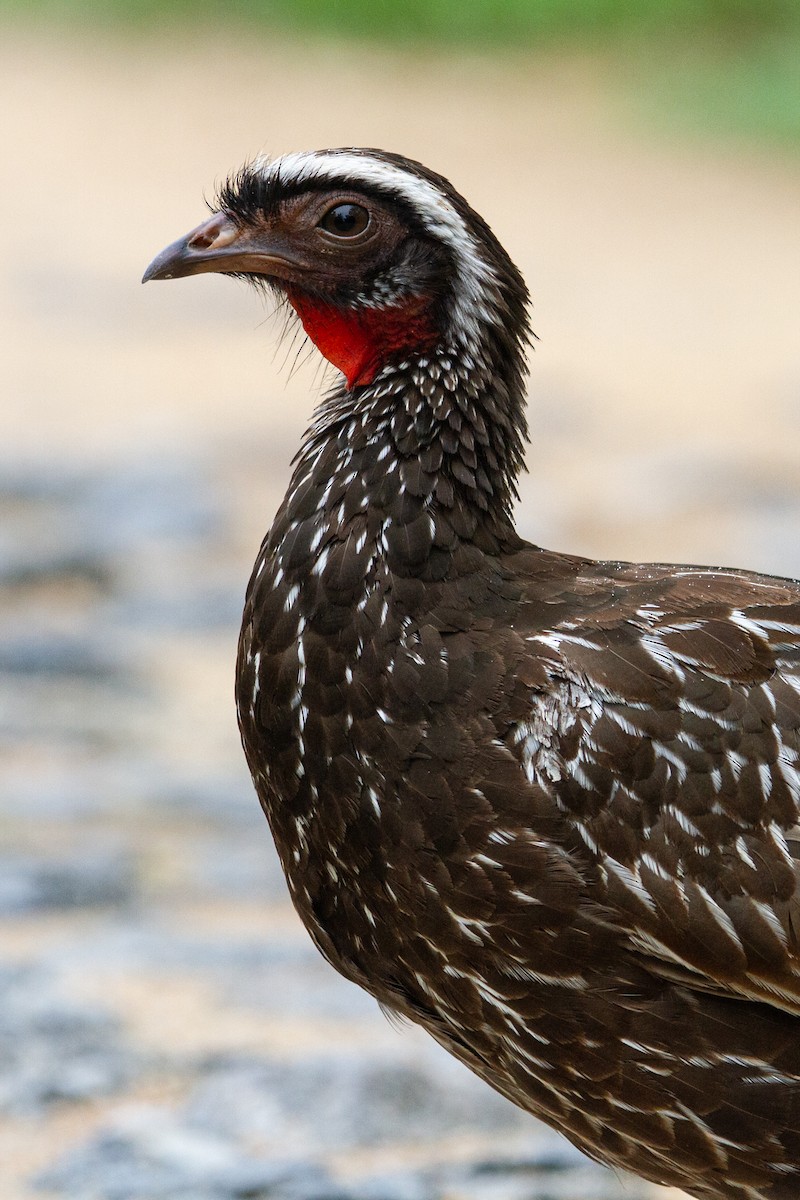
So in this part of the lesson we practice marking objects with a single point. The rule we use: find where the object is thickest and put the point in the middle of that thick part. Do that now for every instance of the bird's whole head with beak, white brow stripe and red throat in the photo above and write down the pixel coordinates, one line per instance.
(380, 257)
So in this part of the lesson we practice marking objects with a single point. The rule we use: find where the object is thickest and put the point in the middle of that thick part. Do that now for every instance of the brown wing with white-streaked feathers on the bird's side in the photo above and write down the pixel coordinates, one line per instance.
(669, 731)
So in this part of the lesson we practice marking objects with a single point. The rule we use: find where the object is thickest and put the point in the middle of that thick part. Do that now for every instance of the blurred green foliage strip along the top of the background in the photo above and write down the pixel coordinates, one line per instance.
(732, 67)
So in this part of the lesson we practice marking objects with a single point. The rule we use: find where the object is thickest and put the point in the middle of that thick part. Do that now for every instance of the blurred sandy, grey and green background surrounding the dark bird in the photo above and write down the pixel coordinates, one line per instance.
(166, 1028)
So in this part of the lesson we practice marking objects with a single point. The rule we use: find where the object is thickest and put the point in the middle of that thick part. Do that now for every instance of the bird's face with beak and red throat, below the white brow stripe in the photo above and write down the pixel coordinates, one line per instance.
(364, 284)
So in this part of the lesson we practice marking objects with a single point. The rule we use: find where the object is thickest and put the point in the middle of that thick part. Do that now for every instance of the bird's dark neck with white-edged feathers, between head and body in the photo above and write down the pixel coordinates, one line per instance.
(432, 447)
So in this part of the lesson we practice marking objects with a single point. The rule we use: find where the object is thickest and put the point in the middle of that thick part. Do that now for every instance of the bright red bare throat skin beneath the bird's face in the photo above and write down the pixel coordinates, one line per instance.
(360, 341)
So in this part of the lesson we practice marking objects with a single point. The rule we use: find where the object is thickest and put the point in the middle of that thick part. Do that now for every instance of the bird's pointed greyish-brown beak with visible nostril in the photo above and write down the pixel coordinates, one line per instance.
(216, 245)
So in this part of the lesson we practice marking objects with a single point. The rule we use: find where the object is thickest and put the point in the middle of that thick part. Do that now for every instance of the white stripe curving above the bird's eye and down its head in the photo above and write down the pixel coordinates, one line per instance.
(476, 299)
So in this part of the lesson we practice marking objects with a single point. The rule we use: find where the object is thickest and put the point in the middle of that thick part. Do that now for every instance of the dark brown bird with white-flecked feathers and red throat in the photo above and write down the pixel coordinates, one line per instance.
(542, 806)
